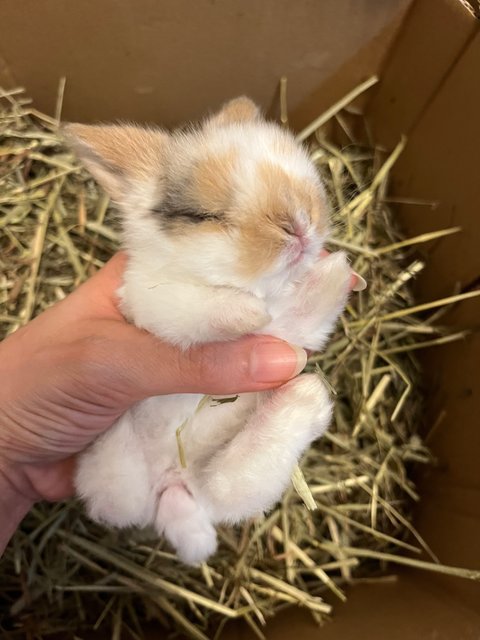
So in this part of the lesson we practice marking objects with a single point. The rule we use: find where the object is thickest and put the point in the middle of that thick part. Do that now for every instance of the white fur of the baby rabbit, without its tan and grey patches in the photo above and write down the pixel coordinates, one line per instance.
(239, 455)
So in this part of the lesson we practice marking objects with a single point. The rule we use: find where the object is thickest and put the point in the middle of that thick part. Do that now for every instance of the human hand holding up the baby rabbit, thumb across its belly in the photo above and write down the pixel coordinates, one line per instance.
(70, 373)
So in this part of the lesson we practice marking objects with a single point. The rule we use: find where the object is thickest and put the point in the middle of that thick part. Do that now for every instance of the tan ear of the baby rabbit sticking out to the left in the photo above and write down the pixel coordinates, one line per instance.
(121, 158)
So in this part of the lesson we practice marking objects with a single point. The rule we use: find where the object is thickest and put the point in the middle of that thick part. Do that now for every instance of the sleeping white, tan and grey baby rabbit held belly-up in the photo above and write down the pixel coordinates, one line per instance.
(224, 225)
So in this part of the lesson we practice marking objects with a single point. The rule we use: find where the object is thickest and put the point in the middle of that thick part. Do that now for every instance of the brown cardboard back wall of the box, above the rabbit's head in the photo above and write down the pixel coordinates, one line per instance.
(171, 60)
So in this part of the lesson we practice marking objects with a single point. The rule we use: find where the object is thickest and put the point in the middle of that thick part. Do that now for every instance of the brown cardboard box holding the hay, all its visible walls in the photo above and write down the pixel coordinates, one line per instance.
(170, 60)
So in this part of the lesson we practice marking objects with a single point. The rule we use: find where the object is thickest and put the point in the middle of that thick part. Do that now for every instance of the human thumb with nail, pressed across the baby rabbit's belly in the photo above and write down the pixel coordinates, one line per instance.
(152, 367)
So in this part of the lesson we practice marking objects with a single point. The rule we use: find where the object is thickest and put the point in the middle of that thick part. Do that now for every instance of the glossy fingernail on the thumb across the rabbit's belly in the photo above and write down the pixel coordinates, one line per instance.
(276, 361)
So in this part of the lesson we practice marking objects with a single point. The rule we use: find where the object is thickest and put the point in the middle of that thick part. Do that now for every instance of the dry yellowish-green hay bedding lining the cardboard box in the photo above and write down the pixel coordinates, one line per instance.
(346, 516)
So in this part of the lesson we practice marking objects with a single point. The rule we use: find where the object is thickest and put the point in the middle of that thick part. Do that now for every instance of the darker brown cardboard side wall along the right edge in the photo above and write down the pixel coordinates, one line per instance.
(440, 163)
